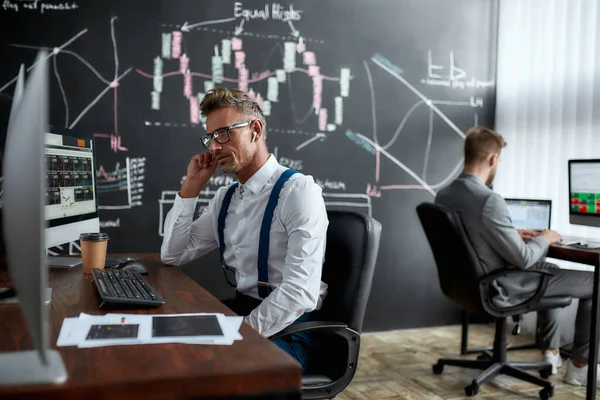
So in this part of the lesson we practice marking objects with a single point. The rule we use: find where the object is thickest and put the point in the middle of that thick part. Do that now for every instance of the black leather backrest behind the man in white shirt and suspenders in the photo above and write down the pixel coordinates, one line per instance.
(350, 256)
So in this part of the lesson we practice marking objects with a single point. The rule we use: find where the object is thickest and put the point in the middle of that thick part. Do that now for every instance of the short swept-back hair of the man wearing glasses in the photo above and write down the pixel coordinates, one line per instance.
(235, 98)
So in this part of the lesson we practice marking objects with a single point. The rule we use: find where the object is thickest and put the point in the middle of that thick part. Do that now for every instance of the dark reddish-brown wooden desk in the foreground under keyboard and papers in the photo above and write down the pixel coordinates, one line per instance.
(253, 367)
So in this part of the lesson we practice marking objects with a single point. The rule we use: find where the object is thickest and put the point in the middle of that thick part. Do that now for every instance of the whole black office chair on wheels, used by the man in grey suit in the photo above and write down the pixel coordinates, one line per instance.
(463, 279)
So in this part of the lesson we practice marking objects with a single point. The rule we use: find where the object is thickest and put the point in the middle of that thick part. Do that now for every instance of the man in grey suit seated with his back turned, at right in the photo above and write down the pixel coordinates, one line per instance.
(499, 245)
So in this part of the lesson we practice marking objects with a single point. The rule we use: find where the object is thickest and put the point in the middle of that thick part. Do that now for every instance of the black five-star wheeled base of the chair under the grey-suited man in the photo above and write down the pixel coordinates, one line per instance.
(496, 364)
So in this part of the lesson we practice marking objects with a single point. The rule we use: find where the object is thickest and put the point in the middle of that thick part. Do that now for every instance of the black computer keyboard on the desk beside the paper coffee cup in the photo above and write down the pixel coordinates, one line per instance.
(125, 289)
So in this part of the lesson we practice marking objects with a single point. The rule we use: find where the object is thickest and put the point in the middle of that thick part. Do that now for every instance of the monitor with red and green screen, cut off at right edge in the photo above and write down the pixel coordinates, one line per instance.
(584, 192)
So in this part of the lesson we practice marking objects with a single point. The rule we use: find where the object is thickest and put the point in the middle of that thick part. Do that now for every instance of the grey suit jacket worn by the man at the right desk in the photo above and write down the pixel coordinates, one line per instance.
(496, 242)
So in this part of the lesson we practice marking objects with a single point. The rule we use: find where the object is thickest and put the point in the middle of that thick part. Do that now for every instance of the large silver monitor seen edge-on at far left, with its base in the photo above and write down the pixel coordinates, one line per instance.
(23, 225)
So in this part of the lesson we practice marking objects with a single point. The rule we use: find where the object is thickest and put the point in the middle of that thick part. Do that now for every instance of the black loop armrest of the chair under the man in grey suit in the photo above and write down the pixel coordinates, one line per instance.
(487, 280)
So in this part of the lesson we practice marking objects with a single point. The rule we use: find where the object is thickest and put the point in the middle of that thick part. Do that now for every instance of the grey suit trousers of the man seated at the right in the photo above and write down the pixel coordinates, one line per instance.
(579, 285)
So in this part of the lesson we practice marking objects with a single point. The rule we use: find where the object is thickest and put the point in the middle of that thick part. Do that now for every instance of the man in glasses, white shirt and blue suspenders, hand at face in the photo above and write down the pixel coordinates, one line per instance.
(271, 298)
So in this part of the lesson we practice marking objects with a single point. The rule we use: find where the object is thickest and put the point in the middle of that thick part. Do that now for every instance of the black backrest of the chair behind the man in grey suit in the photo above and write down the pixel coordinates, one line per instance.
(459, 268)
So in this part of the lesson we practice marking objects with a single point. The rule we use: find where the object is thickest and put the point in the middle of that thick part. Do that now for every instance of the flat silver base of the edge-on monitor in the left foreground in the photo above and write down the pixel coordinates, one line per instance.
(26, 368)
